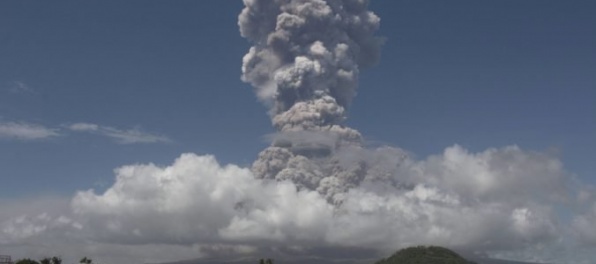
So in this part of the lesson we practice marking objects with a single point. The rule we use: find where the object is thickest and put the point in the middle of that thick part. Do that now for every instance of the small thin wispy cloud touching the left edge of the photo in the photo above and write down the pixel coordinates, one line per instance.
(25, 131)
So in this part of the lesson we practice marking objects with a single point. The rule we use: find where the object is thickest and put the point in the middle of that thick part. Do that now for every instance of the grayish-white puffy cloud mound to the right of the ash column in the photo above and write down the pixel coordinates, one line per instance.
(507, 173)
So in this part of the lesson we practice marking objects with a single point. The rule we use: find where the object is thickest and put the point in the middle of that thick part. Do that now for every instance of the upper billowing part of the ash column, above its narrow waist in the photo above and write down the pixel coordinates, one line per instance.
(306, 51)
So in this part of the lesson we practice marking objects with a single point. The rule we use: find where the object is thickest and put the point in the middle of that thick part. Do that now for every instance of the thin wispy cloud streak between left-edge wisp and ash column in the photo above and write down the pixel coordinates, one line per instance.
(122, 136)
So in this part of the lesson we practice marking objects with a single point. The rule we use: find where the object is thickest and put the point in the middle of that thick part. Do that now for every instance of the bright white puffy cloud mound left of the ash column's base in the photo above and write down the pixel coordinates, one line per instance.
(195, 200)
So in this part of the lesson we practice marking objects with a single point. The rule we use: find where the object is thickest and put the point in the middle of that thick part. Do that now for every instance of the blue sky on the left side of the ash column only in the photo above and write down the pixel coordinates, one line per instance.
(169, 69)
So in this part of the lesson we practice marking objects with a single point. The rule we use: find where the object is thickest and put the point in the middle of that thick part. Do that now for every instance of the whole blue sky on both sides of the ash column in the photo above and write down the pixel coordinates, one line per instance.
(475, 73)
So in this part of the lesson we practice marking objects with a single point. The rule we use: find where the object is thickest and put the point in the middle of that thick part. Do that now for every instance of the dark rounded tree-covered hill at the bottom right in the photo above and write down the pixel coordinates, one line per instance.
(425, 255)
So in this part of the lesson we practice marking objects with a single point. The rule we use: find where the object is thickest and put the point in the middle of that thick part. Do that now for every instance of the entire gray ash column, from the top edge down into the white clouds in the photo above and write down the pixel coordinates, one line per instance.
(304, 64)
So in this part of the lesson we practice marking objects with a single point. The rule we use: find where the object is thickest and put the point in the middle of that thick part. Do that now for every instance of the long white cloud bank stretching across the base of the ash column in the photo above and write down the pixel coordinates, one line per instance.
(498, 200)
